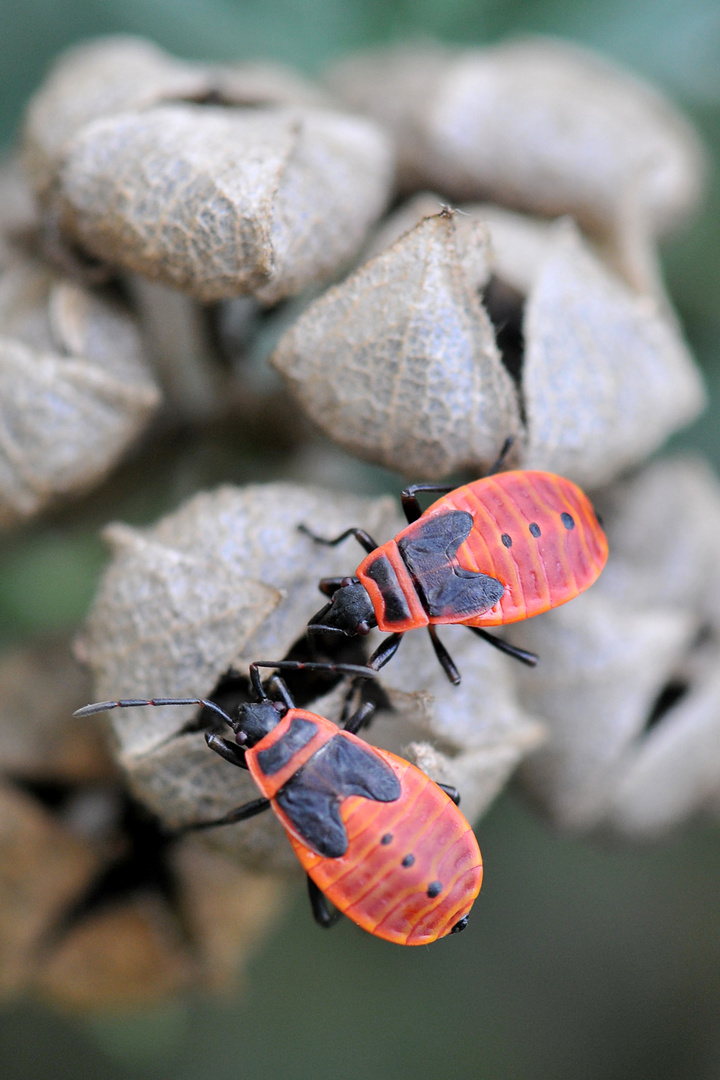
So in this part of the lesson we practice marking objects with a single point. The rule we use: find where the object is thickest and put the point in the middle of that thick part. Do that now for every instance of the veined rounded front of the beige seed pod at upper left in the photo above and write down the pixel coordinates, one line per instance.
(222, 202)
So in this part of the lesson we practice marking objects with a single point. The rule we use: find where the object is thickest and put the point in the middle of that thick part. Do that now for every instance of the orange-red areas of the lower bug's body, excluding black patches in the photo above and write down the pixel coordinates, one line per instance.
(399, 853)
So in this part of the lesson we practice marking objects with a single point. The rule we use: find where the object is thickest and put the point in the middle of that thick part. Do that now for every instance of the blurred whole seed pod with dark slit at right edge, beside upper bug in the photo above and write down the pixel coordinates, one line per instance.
(629, 684)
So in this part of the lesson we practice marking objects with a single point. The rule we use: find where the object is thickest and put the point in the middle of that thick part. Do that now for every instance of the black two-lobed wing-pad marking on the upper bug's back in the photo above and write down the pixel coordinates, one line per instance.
(444, 587)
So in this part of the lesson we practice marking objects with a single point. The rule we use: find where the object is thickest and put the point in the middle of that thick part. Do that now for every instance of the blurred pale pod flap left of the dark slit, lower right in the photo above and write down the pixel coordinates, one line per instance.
(604, 666)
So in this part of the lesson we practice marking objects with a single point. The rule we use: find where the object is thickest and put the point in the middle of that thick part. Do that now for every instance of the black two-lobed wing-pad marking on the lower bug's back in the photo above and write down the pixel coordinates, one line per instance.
(311, 799)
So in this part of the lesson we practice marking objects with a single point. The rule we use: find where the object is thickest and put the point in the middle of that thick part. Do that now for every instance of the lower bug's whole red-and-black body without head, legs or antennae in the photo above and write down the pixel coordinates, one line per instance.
(411, 869)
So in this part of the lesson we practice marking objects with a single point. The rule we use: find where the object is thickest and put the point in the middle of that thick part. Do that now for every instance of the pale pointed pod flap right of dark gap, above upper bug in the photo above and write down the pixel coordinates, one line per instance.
(606, 376)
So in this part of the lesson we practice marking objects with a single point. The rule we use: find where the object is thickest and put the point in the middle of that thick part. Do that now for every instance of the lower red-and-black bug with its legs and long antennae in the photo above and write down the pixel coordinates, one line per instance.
(377, 839)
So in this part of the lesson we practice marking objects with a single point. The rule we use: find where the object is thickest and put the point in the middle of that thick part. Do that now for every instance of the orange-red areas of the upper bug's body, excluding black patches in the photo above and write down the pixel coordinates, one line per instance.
(536, 533)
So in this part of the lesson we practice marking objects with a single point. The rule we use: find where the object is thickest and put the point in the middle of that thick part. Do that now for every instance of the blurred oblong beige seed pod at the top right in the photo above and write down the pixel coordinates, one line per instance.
(538, 125)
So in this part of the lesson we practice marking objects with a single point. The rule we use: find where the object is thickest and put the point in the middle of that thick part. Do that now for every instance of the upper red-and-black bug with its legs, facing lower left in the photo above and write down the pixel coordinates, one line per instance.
(496, 551)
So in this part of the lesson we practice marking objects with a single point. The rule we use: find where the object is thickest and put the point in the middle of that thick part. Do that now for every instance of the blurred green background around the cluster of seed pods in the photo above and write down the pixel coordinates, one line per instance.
(580, 962)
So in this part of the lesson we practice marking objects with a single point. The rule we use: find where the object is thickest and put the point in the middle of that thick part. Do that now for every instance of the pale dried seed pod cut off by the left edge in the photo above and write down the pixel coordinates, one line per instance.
(75, 389)
